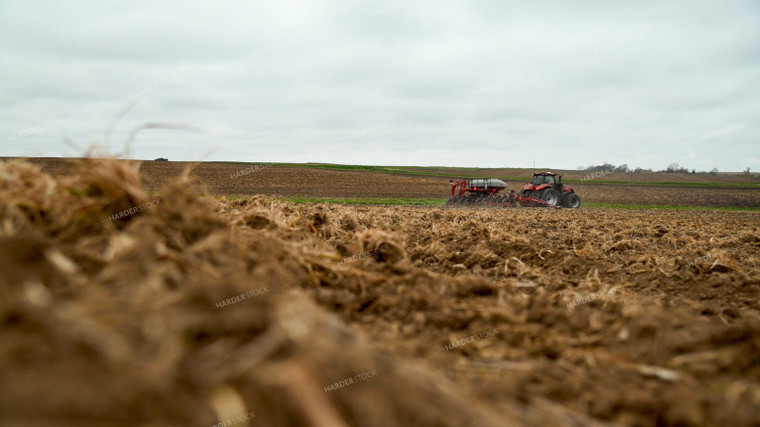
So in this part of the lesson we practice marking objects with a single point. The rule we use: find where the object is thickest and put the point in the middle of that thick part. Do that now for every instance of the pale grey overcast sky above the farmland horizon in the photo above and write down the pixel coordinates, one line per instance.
(449, 83)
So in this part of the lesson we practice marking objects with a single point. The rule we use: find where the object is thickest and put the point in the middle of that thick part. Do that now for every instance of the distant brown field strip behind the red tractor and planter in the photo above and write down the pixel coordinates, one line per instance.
(240, 180)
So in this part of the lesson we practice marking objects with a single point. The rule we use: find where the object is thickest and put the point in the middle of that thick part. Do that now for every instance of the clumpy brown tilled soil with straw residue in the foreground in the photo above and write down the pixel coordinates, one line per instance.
(122, 308)
